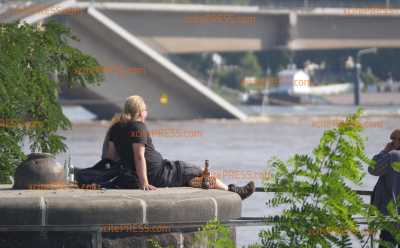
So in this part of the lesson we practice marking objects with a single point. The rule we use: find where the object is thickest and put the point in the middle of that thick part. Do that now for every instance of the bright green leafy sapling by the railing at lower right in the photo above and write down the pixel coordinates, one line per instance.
(320, 204)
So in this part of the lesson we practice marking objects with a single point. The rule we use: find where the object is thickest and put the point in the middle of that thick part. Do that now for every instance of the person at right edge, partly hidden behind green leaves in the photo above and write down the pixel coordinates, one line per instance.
(388, 186)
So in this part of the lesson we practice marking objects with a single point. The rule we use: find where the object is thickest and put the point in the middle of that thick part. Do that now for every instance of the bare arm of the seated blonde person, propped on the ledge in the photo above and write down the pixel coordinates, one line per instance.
(141, 167)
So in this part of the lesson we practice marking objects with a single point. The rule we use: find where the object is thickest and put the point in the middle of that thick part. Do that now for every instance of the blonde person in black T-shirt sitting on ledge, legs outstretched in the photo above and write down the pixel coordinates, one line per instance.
(129, 141)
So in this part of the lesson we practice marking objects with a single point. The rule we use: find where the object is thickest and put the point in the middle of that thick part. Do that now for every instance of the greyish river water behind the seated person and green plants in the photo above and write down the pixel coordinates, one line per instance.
(231, 146)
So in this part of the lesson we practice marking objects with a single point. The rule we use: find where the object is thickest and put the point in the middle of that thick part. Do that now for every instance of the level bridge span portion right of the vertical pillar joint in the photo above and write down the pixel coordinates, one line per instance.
(344, 28)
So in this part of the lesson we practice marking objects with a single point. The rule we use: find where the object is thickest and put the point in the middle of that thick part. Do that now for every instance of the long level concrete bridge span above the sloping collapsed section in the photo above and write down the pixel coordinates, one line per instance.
(189, 28)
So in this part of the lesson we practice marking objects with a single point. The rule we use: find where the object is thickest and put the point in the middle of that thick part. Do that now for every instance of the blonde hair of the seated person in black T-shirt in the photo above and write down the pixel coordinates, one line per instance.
(134, 106)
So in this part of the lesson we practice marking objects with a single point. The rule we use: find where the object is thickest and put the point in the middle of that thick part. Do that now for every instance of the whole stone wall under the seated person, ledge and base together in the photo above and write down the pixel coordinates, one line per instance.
(117, 218)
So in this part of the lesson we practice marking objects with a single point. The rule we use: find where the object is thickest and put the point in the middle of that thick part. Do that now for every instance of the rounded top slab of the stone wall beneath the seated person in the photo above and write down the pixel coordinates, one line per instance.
(94, 207)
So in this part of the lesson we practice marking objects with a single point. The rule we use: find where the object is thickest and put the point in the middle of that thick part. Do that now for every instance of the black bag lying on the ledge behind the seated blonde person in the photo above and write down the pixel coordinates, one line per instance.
(107, 174)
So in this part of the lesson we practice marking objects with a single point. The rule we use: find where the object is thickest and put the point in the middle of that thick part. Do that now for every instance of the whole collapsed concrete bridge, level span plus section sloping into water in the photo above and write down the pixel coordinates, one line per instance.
(137, 35)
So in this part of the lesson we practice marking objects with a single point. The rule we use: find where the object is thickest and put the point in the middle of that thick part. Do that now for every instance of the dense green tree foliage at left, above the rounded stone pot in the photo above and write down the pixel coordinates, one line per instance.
(34, 61)
